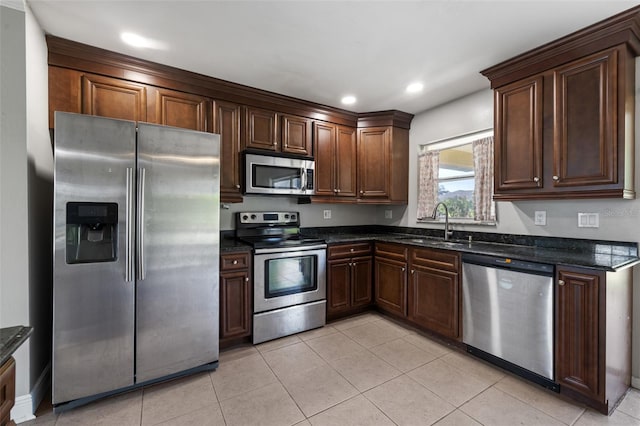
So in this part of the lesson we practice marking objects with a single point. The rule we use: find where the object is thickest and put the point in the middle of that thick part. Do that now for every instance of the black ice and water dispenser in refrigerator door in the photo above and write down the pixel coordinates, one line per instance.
(92, 232)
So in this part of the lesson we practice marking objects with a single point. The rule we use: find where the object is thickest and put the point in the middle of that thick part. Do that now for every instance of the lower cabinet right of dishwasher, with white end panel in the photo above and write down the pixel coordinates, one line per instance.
(593, 335)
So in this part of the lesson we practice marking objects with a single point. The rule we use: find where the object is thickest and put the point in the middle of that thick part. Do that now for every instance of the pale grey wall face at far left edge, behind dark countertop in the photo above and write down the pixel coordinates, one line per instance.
(14, 275)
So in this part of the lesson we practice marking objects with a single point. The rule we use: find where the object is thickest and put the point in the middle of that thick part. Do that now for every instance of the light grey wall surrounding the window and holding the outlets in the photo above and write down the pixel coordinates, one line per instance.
(619, 219)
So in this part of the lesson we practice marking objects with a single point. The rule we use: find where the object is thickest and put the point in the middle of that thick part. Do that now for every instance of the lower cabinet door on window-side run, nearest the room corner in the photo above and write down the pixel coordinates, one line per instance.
(391, 285)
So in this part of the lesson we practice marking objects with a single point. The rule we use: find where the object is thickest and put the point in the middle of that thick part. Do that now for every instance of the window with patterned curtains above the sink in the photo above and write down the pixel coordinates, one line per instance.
(459, 173)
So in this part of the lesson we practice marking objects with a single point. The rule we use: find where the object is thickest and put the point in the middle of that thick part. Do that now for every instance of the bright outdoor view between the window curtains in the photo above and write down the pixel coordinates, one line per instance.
(456, 181)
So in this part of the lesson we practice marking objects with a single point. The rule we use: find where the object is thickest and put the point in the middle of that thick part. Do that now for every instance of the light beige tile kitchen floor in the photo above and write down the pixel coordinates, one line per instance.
(365, 370)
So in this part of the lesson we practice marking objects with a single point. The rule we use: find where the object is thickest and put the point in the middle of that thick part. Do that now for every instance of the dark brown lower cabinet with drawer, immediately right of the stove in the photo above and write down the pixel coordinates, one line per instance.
(349, 279)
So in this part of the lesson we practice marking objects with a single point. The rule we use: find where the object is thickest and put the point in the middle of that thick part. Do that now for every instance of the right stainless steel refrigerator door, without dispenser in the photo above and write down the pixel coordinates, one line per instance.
(178, 248)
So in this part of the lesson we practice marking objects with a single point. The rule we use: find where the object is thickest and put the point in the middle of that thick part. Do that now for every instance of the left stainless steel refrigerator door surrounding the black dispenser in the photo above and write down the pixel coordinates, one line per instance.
(93, 304)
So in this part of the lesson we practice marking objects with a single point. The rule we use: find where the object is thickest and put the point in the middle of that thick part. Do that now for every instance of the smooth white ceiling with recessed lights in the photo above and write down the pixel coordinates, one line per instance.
(322, 50)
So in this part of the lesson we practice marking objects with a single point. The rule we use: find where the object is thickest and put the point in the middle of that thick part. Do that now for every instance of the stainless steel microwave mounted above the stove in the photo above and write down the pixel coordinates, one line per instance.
(270, 174)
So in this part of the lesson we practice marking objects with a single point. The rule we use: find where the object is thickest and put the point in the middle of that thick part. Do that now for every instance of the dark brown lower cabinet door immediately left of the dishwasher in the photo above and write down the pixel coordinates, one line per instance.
(433, 300)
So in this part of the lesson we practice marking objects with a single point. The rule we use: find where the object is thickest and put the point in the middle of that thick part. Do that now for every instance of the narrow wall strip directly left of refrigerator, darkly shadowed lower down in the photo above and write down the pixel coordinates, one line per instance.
(40, 200)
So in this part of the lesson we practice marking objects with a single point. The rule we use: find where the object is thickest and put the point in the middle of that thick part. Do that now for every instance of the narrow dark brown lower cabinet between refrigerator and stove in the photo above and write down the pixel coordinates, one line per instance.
(236, 290)
